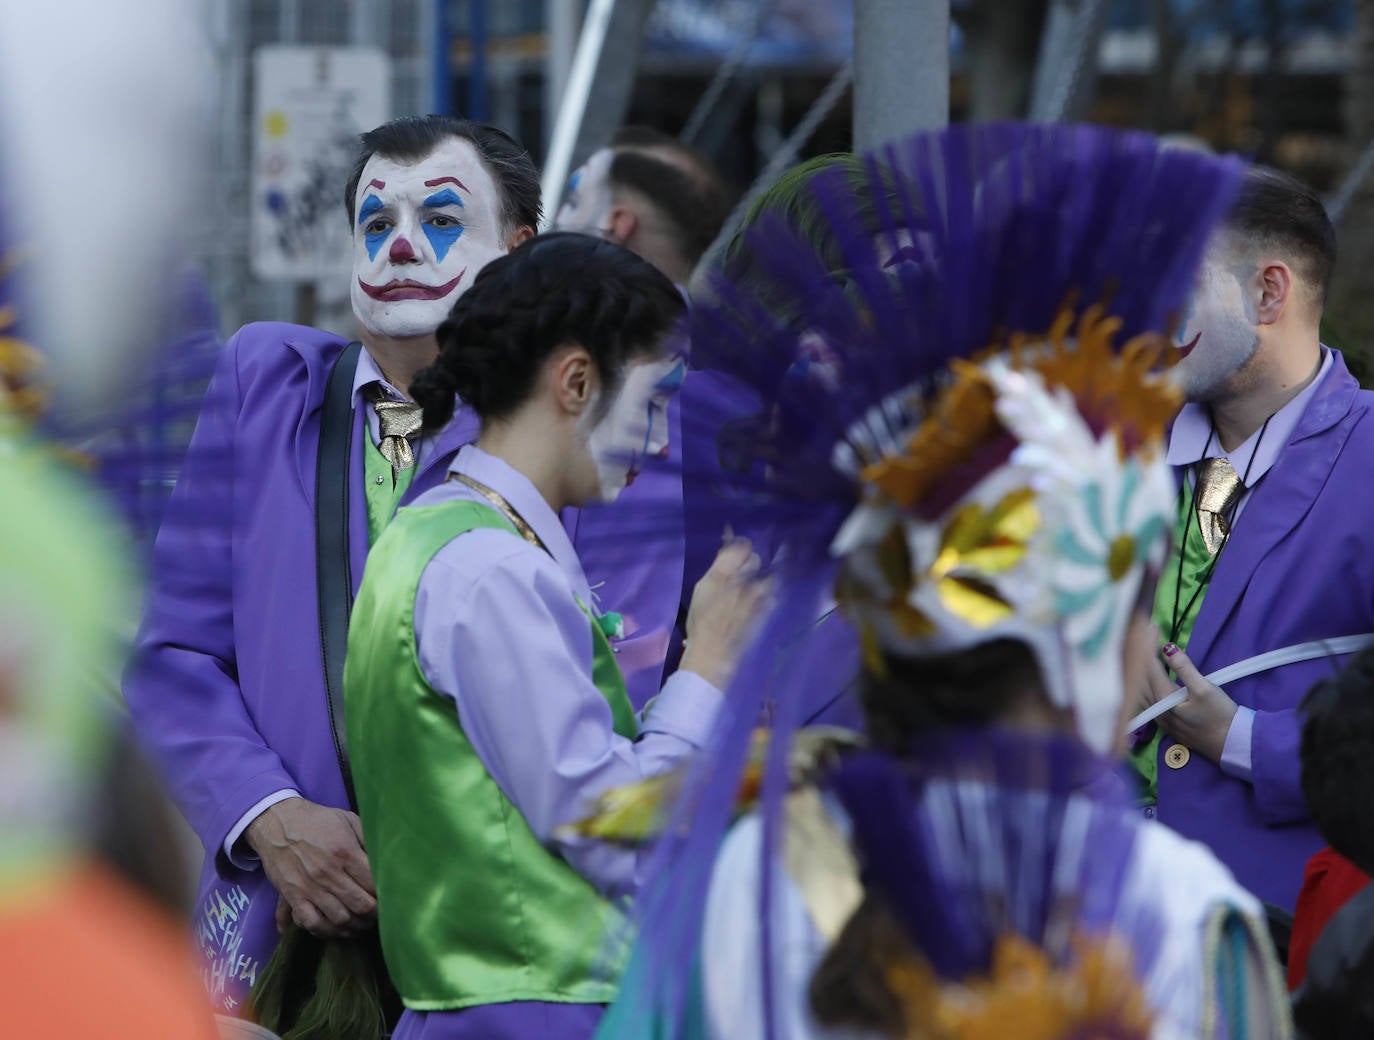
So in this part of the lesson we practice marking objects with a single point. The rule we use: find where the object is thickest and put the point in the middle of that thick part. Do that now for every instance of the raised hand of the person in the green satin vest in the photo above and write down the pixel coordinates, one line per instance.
(726, 608)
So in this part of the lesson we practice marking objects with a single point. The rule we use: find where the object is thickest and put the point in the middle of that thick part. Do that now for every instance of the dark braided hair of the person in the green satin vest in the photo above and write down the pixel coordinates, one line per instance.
(550, 292)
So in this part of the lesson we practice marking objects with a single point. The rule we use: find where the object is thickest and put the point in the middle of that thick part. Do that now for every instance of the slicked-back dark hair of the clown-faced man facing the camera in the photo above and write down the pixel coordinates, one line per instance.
(413, 138)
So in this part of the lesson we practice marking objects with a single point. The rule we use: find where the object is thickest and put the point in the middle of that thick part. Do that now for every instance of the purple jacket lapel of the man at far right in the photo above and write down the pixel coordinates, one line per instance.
(1277, 506)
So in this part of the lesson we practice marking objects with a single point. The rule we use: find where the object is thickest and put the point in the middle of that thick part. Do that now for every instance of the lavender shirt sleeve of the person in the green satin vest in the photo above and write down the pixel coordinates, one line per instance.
(498, 630)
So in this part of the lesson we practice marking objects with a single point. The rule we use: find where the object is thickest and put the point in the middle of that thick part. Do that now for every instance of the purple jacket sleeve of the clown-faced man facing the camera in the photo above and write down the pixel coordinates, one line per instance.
(182, 686)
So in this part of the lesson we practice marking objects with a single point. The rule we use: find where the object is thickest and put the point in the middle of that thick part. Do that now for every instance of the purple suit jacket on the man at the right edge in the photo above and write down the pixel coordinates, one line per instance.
(1299, 567)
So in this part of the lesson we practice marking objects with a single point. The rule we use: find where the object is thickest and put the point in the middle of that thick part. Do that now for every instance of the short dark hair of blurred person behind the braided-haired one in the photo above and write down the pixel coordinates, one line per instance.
(678, 181)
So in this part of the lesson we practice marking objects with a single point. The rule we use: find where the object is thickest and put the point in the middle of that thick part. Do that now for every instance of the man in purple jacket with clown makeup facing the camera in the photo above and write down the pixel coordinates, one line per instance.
(230, 688)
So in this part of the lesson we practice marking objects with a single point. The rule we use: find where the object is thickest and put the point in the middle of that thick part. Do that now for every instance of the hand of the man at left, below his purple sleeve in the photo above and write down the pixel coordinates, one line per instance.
(314, 857)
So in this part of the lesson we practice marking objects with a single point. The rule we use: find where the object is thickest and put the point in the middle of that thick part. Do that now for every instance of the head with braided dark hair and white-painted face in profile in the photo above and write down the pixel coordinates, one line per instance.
(561, 348)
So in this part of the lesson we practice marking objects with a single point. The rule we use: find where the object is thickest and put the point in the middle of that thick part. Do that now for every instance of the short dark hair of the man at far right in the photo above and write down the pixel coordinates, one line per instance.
(1277, 211)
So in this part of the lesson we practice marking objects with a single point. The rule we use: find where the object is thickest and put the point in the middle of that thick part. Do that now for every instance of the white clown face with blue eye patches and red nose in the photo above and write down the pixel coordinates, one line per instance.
(421, 234)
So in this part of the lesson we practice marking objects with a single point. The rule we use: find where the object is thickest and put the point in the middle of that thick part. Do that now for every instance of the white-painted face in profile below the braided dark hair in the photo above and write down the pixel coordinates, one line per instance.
(635, 427)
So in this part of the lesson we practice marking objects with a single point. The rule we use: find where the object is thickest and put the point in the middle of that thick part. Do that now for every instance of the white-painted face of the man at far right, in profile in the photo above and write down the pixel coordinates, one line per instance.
(1218, 335)
